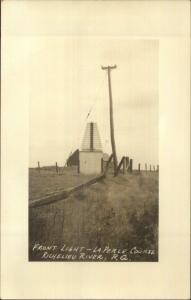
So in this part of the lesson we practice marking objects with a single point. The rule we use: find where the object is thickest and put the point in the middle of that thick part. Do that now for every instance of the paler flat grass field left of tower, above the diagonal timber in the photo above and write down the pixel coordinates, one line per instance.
(48, 181)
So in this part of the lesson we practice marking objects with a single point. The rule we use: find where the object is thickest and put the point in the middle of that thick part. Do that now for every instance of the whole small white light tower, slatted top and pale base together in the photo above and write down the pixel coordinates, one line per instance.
(91, 154)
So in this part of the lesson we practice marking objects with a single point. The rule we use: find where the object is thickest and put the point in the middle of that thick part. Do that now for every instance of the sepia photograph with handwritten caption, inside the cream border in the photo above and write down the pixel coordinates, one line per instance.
(94, 170)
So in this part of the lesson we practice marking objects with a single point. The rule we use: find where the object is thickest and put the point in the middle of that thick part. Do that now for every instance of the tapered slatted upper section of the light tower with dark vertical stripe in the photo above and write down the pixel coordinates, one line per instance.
(91, 140)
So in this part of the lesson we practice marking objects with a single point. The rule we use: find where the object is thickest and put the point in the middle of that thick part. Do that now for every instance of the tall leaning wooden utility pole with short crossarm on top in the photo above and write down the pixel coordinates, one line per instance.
(109, 68)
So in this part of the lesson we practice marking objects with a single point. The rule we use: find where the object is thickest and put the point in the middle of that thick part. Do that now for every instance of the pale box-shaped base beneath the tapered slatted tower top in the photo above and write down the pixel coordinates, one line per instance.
(90, 162)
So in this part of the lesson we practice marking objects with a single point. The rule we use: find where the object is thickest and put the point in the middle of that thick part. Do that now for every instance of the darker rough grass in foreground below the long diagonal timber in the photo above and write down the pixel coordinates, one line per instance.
(118, 212)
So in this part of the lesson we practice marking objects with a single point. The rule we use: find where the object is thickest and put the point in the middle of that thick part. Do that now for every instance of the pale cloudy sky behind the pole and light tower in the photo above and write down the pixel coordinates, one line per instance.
(66, 82)
